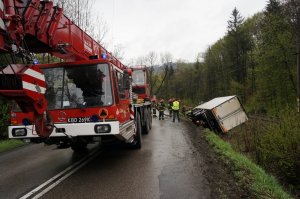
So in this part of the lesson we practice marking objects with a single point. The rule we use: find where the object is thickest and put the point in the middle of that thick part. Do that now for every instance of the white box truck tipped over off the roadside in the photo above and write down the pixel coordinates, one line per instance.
(219, 114)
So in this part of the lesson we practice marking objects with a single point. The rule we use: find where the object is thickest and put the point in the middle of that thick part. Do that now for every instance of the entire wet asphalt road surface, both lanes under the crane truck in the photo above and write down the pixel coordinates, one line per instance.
(167, 166)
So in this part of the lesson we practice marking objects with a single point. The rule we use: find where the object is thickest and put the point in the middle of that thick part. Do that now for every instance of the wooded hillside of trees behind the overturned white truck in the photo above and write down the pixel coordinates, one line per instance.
(255, 60)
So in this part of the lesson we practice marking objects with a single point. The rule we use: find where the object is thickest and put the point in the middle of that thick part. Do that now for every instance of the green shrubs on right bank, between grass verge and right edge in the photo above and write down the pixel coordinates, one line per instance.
(274, 145)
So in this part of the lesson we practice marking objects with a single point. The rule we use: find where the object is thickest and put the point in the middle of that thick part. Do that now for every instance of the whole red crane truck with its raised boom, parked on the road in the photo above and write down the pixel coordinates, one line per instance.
(86, 98)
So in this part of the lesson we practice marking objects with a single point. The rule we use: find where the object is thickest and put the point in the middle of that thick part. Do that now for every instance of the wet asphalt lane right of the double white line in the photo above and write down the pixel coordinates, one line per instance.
(165, 167)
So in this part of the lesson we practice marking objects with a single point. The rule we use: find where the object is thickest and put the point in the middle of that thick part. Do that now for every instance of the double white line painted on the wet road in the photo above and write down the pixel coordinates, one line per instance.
(54, 181)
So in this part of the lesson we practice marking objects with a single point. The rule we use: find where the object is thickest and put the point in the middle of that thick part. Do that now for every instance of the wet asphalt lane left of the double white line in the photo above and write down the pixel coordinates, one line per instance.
(27, 167)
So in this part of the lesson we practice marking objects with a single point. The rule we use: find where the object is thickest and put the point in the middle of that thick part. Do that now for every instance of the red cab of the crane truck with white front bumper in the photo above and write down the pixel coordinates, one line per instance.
(87, 101)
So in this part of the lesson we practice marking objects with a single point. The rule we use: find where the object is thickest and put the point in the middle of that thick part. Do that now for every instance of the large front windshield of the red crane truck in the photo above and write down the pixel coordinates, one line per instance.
(78, 86)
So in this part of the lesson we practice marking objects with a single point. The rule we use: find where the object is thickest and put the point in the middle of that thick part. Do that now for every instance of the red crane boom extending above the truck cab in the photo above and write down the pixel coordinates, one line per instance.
(45, 29)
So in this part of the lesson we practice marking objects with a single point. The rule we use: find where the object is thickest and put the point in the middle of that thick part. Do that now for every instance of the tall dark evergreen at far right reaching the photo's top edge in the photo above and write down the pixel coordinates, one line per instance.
(274, 57)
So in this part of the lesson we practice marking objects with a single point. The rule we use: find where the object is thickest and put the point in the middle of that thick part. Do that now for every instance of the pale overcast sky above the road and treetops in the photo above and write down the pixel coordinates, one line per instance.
(183, 28)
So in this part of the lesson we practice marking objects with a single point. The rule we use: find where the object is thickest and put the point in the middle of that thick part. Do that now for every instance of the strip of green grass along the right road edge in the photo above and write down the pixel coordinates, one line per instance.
(251, 176)
